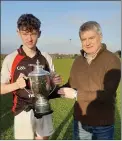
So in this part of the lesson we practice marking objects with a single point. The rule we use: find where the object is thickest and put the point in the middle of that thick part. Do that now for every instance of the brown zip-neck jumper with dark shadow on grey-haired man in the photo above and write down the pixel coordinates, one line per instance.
(96, 85)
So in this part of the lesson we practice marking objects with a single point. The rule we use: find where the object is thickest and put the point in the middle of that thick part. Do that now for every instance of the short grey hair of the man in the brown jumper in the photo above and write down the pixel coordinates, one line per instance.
(90, 25)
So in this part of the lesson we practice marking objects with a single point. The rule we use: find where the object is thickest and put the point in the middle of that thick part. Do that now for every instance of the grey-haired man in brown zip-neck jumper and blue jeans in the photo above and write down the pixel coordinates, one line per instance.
(94, 78)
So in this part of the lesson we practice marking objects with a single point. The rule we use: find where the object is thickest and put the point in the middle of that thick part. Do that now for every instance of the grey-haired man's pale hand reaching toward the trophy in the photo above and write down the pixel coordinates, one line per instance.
(67, 92)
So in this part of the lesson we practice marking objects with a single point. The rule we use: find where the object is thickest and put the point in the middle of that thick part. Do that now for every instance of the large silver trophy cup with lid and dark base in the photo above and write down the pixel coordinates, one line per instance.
(40, 83)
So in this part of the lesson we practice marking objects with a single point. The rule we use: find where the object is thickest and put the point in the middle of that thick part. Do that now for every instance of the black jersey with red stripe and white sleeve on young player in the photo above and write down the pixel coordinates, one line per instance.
(20, 64)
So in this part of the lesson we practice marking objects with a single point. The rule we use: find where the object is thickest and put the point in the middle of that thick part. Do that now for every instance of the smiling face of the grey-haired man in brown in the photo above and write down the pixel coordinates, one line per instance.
(91, 41)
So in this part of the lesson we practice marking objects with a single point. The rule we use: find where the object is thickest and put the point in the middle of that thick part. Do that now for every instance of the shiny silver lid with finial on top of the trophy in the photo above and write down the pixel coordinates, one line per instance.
(38, 70)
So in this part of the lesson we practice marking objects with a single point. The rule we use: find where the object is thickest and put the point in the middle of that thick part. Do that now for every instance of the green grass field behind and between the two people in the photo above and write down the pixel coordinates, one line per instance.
(63, 109)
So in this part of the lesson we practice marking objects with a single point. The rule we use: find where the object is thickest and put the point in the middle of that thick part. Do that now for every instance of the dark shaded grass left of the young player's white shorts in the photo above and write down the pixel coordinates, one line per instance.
(6, 116)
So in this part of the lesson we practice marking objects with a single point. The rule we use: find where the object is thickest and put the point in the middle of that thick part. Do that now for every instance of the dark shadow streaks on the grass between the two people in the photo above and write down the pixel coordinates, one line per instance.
(60, 127)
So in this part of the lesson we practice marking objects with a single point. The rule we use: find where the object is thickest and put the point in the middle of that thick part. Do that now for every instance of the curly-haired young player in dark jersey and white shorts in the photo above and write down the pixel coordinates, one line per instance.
(15, 70)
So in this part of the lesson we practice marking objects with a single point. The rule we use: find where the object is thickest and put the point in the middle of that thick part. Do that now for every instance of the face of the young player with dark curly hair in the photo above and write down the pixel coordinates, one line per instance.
(29, 39)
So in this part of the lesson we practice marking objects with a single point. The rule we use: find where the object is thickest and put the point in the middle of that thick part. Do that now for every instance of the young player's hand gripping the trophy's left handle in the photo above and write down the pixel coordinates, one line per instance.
(21, 81)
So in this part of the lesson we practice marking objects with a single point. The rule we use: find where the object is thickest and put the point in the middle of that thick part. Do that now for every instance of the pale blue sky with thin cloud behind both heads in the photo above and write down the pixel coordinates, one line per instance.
(60, 23)
